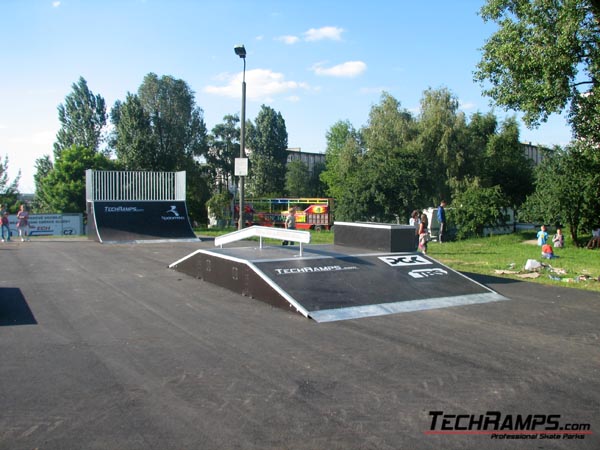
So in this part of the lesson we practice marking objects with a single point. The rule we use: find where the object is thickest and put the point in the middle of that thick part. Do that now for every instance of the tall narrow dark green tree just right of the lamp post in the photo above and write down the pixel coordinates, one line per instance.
(267, 140)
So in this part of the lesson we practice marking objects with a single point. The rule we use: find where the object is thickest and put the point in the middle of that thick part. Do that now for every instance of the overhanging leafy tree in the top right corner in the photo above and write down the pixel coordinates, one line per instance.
(544, 57)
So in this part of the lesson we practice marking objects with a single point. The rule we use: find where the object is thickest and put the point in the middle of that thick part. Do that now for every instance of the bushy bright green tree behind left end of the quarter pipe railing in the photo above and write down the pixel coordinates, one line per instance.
(62, 190)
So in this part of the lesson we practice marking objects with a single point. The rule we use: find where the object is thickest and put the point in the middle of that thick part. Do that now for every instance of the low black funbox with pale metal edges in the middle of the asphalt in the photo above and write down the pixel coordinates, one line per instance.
(335, 282)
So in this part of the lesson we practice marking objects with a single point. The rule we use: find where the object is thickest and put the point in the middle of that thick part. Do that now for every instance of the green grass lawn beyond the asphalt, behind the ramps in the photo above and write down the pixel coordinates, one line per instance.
(502, 252)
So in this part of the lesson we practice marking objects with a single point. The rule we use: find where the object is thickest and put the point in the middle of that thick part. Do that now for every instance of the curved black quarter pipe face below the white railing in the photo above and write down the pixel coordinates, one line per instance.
(139, 221)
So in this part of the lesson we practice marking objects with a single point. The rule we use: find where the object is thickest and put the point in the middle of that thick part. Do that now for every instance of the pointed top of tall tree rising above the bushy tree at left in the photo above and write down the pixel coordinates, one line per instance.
(82, 118)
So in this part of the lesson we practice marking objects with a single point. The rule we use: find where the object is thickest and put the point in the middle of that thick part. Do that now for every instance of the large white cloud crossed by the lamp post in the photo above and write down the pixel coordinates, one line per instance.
(261, 85)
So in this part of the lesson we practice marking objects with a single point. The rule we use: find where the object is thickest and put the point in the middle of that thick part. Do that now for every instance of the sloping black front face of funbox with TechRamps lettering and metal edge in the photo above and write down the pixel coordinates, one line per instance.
(344, 287)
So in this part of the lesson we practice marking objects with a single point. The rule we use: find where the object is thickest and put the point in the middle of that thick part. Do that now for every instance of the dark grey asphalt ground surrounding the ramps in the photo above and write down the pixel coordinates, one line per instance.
(105, 347)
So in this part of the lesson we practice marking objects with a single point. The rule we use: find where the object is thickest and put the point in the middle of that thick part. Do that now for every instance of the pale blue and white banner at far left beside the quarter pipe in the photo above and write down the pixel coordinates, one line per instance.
(50, 224)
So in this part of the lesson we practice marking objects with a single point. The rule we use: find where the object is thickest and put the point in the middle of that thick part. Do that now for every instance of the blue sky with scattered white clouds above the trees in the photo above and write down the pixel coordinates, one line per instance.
(316, 62)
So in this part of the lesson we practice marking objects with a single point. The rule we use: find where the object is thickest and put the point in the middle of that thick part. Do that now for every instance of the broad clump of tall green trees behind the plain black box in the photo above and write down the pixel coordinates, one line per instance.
(398, 163)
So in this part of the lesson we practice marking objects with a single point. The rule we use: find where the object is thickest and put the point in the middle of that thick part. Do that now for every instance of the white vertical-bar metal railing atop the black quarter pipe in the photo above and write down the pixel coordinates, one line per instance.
(112, 185)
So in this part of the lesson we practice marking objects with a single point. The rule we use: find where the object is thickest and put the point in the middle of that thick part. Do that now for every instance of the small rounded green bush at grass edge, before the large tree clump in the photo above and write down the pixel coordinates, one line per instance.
(475, 207)
